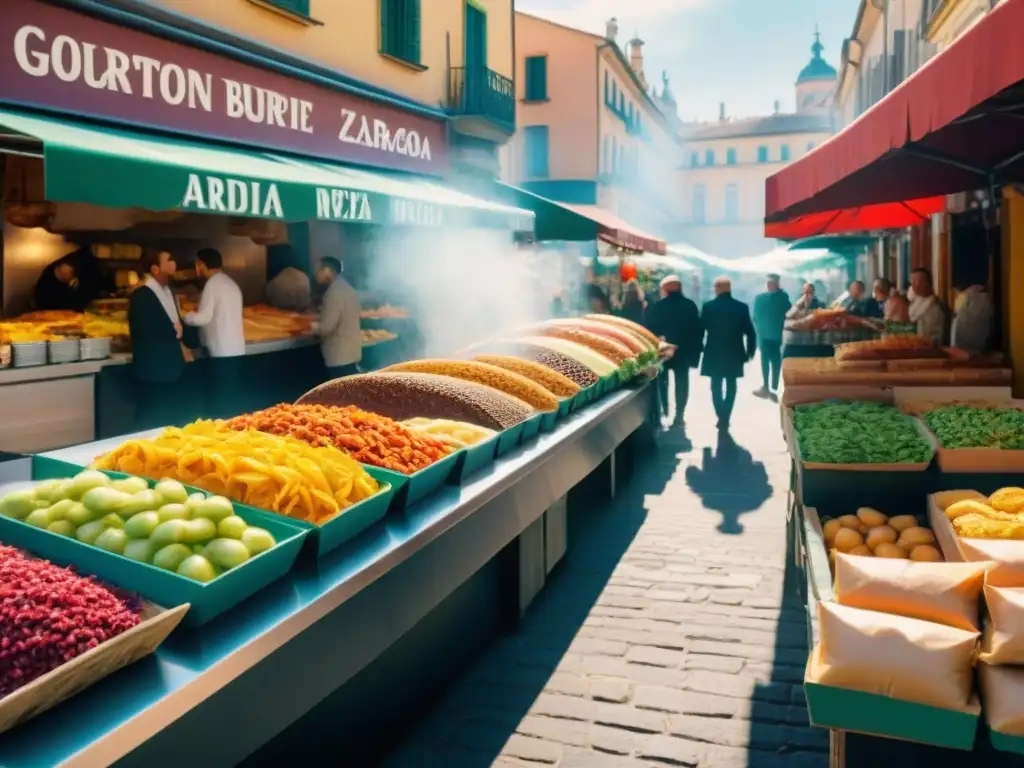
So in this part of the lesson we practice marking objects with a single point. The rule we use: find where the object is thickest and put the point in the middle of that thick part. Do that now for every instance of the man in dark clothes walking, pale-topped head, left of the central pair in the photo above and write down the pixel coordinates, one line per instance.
(676, 320)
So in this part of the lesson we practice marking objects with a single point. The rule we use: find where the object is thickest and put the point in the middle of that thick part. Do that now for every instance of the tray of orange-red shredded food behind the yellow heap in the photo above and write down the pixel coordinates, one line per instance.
(415, 464)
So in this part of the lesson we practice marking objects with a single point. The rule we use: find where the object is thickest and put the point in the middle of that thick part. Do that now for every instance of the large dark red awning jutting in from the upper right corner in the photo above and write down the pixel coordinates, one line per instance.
(955, 125)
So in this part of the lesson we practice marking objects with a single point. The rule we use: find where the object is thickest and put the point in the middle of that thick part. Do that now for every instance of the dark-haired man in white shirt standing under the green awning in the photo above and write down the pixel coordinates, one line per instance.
(220, 322)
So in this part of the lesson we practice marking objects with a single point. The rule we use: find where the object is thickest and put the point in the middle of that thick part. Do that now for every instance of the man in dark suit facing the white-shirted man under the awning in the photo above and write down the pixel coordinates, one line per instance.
(160, 346)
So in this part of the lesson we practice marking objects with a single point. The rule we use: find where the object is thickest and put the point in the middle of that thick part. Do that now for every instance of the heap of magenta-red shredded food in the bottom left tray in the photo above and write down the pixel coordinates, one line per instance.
(50, 615)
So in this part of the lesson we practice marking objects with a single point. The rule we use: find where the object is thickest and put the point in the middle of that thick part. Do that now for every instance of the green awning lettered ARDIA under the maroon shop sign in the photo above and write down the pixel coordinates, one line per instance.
(115, 168)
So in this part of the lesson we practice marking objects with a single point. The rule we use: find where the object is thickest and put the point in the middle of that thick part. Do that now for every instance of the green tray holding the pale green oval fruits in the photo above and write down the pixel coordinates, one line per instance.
(162, 587)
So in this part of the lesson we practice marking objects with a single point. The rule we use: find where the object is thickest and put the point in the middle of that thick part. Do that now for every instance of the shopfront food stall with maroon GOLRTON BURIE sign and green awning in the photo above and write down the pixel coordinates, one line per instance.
(102, 178)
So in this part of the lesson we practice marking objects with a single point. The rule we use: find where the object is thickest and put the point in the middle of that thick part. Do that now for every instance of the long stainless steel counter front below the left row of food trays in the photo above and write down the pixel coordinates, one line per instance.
(308, 632)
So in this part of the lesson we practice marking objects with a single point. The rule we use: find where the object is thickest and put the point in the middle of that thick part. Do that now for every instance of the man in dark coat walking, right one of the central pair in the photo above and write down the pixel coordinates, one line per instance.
(731, 344)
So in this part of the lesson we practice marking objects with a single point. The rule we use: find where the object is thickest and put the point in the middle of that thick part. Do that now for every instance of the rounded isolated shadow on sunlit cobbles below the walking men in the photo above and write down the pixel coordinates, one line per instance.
(730, 482)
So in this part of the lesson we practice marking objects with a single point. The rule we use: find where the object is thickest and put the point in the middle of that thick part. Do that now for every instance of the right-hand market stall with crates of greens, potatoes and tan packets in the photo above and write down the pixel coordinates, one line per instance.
(871, 447)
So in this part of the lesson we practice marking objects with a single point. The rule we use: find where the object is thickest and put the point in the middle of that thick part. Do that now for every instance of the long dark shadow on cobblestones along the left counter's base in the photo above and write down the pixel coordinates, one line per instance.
(475, 719)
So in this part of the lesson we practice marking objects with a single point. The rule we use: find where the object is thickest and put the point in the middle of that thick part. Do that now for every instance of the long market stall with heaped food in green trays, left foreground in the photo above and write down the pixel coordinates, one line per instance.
(278, 576)
